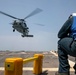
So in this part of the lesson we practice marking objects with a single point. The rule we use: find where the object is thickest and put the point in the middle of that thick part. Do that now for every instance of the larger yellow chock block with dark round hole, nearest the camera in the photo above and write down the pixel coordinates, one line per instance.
(13, 66)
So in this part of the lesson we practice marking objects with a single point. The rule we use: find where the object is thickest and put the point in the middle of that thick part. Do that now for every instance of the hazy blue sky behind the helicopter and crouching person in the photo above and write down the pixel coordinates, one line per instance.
(53, 16)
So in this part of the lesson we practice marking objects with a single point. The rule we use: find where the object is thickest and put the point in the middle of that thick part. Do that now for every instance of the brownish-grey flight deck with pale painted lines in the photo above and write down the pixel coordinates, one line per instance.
(50, 62)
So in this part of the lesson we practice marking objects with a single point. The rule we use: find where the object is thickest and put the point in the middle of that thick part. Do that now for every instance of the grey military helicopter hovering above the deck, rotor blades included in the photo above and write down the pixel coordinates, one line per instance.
(20, 24)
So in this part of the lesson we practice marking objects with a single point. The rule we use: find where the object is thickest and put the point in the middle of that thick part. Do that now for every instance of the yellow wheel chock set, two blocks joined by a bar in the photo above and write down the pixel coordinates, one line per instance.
(14, 66)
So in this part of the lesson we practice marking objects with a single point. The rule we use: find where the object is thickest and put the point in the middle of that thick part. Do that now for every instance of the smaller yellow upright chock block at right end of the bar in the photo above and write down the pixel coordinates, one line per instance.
(38, 64)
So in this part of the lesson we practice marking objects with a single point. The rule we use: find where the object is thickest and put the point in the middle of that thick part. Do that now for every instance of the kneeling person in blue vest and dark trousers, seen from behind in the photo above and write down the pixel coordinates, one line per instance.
(66, 44)
